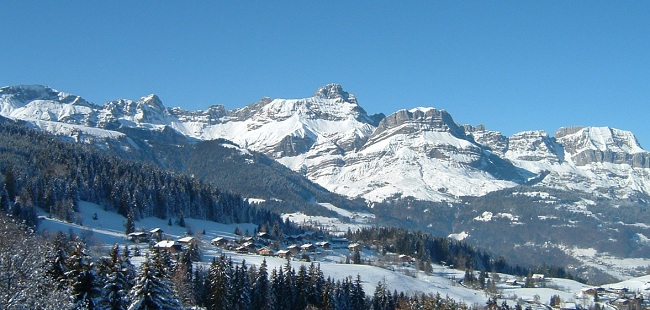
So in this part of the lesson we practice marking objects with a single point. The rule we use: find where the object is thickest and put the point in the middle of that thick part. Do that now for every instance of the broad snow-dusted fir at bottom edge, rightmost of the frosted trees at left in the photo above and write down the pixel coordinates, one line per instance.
(152, 290)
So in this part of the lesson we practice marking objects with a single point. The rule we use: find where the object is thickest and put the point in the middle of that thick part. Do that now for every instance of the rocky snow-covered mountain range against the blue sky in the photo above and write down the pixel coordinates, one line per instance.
(331, 139)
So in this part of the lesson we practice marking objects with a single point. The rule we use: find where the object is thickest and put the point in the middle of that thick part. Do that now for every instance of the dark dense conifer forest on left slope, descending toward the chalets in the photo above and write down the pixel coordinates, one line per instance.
(40, 170)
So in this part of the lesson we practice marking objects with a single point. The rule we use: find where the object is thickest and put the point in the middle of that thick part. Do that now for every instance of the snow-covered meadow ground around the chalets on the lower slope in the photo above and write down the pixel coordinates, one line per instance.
(108, 229)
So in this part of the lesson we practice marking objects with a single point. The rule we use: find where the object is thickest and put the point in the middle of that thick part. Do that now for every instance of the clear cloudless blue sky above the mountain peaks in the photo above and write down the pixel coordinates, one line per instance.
(510, 65)
